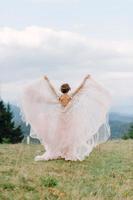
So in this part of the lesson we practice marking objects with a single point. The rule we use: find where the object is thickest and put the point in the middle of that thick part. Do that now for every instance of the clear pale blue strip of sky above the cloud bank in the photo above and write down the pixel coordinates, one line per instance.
(104, 19)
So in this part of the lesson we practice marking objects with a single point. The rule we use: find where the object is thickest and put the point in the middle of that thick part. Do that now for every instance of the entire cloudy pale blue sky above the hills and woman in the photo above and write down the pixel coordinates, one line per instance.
(67, 39)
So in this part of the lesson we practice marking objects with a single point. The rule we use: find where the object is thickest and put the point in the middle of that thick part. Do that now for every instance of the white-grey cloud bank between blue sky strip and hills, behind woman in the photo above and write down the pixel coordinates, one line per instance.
(63, 55)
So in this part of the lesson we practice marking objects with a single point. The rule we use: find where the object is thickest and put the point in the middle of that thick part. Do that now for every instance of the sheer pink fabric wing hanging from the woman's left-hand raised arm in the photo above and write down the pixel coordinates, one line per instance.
(36, 103)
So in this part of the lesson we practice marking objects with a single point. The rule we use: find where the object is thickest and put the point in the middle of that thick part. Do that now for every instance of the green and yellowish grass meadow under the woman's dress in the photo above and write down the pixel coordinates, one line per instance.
(107, 174)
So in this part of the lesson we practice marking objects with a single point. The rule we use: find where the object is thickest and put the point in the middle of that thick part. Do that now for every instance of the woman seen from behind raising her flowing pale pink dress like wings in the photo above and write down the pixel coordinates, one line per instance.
(68, 124)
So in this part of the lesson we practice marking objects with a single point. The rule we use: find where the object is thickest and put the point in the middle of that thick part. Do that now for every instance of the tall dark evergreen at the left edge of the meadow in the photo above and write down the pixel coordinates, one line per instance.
(8, 132)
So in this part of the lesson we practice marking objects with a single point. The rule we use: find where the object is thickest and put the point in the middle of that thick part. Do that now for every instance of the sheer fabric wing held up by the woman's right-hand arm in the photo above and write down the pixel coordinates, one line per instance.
(89, 111)
